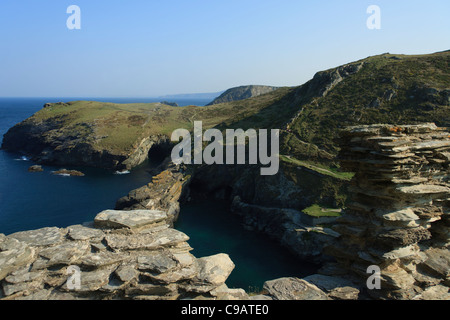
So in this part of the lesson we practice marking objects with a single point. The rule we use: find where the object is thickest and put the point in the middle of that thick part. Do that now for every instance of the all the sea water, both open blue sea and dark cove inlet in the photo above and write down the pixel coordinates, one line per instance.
(35, 200)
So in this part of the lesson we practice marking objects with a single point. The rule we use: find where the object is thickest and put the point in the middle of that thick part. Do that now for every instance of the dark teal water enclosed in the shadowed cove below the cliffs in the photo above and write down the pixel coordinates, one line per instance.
(214, 229)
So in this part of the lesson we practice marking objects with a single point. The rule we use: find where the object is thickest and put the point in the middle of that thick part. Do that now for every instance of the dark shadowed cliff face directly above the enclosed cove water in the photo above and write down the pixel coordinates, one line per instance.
(272, 204)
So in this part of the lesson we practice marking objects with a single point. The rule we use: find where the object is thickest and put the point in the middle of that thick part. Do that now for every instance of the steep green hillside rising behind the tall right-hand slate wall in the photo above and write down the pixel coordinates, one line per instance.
(395, 89)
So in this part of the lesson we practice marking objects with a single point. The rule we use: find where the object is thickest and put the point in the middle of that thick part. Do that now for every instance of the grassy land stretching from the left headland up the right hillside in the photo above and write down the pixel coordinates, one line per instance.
(381, 89)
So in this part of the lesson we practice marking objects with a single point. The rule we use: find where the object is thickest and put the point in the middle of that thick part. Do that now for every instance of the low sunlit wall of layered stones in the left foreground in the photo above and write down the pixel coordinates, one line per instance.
(123, 255)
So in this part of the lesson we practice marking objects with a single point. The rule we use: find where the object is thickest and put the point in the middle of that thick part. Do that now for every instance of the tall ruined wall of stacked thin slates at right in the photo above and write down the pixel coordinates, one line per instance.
(398, 219)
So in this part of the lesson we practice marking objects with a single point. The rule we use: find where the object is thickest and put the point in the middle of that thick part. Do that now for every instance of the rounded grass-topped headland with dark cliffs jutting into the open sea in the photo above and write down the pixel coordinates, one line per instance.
(56, 136)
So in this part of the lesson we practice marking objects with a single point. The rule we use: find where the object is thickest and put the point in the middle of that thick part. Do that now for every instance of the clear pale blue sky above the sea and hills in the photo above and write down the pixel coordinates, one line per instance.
(145, 48)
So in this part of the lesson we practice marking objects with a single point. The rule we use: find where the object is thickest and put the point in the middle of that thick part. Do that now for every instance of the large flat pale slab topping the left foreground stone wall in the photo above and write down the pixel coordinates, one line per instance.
(128, 219)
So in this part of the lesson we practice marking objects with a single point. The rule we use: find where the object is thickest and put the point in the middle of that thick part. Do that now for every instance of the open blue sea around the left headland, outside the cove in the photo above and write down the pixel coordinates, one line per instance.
(35, 200)
